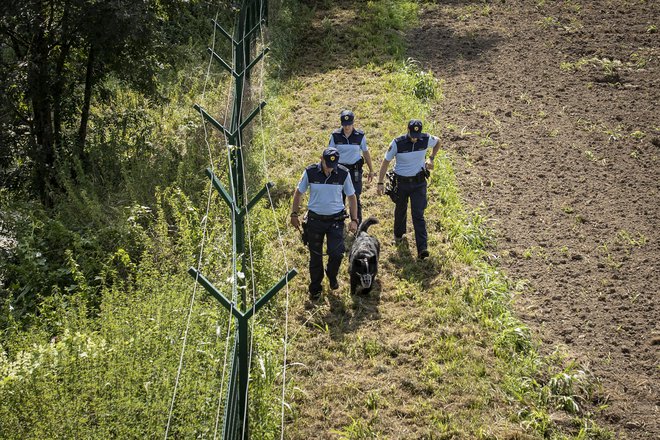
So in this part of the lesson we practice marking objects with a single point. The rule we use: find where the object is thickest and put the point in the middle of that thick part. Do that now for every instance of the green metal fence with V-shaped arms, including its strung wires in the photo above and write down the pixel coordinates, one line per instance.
(251, 15)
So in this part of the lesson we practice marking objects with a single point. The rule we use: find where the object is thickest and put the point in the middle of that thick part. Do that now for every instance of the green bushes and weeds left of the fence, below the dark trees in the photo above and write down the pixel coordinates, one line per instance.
(93, 284)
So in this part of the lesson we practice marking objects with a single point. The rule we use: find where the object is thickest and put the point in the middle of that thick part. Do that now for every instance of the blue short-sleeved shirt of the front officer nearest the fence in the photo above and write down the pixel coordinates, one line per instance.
(325, 192)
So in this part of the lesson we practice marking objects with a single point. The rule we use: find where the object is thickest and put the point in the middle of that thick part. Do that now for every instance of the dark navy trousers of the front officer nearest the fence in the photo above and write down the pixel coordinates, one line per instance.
(318, 230)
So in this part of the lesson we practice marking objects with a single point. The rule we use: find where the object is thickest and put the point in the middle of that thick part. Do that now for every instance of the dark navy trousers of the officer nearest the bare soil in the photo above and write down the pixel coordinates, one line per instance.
(416, 192)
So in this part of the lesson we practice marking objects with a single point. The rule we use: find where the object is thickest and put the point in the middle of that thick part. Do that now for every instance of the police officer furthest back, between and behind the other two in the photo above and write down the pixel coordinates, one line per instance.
(353, 153)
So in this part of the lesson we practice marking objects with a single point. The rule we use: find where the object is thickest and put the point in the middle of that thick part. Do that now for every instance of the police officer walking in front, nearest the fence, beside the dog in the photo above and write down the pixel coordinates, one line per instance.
(326, 180)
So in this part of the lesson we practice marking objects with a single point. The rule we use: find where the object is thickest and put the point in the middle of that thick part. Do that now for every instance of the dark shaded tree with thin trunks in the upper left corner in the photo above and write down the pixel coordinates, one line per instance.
(53, 55)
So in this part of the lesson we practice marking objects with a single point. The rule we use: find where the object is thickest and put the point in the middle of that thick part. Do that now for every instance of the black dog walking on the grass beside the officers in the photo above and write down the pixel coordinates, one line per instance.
(363, 258)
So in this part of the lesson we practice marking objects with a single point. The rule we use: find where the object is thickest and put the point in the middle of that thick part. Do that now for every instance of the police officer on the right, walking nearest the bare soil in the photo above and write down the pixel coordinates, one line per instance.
(410, 171)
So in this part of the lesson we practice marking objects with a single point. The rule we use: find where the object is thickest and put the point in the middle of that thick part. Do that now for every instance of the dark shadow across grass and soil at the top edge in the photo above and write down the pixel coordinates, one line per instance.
(333, 35)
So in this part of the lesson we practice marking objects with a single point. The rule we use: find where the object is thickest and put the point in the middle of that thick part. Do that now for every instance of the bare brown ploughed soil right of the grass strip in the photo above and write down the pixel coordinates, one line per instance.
(551, 116)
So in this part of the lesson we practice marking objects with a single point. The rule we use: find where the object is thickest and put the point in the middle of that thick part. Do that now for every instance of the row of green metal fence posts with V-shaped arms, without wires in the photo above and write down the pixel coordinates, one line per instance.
(246, 26)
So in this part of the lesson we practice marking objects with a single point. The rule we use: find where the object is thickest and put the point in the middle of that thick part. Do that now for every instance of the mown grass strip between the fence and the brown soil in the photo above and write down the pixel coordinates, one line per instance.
(435, 352)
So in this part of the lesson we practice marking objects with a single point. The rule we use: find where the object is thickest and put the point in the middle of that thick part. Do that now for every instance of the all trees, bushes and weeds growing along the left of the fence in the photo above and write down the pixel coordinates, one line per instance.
(100, 217)
